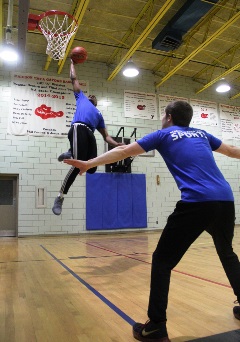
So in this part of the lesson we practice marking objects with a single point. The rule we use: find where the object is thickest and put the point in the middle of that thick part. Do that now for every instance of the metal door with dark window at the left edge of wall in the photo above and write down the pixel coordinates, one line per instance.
(8, 205)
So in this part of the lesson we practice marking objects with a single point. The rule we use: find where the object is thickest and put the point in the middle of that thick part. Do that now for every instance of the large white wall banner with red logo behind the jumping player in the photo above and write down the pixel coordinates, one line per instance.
(41, 105)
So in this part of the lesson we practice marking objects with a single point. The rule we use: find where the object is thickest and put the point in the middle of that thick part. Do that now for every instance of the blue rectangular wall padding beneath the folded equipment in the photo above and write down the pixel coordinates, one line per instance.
(115, 201)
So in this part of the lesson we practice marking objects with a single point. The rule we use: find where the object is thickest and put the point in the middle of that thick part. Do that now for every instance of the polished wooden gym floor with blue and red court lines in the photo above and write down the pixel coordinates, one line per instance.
(93, 287)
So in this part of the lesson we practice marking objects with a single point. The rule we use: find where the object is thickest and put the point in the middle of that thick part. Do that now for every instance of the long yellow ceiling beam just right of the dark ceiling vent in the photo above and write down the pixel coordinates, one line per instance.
(200, 48)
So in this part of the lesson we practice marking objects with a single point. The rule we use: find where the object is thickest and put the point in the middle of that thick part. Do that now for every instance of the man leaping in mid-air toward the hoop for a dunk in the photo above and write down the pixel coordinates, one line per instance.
(87, 118)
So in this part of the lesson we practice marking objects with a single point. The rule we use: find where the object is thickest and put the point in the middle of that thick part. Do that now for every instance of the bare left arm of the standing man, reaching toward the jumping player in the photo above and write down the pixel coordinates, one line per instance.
(112, 156)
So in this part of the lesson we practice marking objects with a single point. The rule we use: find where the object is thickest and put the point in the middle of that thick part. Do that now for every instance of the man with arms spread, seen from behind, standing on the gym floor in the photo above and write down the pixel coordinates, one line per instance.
(207, 204)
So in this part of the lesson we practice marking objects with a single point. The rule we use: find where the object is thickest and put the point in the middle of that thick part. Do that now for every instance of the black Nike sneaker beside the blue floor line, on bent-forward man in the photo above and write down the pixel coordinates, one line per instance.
(150, 332)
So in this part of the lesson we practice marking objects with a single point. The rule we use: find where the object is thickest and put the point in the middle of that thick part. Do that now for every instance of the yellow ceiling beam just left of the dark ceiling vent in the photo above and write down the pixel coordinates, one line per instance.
(141, 38)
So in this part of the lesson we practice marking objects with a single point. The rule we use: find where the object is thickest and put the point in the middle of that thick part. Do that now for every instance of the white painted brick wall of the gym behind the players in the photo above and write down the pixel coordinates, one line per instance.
(34, 159)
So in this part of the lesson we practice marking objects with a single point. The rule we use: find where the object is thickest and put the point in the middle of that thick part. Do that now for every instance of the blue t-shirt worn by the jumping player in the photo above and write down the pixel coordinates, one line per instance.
(87, 113)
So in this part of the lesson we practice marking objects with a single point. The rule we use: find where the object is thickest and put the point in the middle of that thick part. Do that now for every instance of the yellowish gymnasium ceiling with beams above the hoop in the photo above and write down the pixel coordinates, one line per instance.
(113, 31)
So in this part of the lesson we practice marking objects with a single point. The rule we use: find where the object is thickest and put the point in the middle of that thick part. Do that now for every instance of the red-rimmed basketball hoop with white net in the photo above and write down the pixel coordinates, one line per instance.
(57, 27)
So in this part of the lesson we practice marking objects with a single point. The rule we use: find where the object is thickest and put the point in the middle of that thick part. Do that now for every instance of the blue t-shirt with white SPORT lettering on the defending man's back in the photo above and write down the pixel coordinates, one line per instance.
(188, 155)
